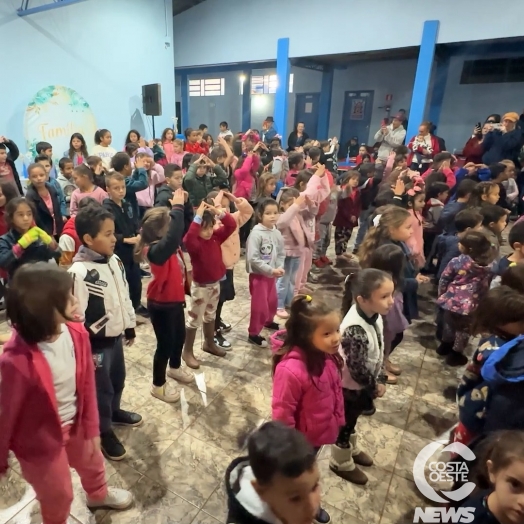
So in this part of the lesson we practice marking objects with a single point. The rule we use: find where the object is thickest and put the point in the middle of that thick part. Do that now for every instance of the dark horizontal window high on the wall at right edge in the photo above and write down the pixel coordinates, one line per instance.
(493, 71)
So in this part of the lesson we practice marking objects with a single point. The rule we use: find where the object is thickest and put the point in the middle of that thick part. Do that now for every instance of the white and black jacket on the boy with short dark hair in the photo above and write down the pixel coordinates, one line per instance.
(101, 288)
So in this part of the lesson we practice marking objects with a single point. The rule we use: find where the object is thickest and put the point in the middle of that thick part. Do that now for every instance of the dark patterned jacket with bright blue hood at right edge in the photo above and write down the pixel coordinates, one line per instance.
(491, 390)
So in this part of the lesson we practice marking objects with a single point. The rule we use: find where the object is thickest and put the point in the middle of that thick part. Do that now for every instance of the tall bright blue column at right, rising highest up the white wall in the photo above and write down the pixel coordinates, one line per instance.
(422, 76)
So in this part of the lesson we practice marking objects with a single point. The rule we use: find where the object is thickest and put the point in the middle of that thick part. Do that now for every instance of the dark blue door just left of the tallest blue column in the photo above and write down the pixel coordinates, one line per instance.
(356, 118)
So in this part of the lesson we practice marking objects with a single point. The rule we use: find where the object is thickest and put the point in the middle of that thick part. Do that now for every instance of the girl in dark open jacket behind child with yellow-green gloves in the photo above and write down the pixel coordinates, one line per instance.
(46, 201)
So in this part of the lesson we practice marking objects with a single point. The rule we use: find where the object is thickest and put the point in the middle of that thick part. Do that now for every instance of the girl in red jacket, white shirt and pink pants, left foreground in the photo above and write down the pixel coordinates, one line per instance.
(47, 395)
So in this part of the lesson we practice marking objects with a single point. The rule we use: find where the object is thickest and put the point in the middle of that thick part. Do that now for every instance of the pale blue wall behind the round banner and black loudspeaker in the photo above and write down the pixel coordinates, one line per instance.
(105, 50)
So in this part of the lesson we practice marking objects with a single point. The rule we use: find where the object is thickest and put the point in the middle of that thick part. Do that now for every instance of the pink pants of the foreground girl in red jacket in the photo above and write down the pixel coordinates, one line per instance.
(51, 480)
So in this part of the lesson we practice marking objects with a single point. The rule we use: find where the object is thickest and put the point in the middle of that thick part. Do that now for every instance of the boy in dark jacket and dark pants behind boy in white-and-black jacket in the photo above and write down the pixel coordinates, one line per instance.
(126, 233)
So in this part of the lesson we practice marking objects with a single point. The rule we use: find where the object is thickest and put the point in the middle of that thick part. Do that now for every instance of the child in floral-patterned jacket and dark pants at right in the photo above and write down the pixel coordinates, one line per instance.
(462, 286)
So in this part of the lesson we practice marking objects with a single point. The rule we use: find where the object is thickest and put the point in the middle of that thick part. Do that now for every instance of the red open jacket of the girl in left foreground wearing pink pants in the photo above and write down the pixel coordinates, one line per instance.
(31, 427)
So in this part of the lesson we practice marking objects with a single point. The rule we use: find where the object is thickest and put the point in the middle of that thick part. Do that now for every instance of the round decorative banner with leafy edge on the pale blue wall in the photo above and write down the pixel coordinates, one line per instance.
(53, 115)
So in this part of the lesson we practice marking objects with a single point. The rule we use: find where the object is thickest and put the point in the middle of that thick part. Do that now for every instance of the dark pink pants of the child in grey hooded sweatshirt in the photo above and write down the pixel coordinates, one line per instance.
(263, 292)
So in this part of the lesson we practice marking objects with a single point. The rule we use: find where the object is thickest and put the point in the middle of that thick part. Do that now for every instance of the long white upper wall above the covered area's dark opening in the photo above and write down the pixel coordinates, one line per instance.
(397, 23)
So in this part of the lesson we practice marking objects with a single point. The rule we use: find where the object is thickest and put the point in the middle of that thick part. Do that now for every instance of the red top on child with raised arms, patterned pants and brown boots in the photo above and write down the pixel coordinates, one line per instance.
(206, 255)
